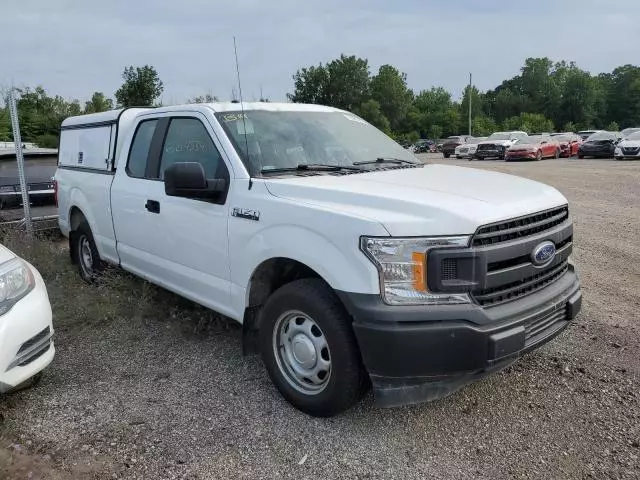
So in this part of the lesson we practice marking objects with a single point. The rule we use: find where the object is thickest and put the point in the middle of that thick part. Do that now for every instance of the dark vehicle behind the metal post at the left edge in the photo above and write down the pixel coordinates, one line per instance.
(40, 167)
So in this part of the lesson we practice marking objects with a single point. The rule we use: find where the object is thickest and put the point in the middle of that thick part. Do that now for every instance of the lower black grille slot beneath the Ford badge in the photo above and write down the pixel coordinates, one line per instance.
(526, 286)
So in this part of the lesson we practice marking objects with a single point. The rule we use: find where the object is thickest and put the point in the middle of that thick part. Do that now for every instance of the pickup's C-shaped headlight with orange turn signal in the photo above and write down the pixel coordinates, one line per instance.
(402, 266)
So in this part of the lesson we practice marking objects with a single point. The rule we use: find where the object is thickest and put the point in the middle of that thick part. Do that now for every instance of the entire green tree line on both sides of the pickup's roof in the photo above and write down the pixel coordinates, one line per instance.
(544, 96)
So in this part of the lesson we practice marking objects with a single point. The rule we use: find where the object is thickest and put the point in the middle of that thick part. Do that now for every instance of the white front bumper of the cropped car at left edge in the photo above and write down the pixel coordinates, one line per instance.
(26, 338)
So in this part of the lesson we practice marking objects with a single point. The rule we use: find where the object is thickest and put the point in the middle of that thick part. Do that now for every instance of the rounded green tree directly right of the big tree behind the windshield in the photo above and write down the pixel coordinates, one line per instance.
(389, 89)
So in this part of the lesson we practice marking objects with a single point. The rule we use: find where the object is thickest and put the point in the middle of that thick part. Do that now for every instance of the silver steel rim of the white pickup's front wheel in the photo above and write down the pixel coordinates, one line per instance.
(301, 352)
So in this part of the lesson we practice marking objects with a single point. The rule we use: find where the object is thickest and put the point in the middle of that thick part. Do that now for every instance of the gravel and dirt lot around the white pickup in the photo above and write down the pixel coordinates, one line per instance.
(145, 385)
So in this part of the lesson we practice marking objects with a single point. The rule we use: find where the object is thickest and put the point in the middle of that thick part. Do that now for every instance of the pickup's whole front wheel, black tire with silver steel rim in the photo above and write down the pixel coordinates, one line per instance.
(309, 348)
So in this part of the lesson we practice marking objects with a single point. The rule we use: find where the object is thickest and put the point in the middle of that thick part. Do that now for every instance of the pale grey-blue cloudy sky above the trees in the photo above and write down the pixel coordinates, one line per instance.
(75, 47)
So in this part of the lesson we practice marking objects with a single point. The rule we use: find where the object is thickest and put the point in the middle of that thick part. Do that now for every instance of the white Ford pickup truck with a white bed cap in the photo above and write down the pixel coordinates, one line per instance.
(348, 262)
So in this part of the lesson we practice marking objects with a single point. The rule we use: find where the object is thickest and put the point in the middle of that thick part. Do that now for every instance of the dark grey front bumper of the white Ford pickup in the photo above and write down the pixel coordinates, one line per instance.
(422, 353)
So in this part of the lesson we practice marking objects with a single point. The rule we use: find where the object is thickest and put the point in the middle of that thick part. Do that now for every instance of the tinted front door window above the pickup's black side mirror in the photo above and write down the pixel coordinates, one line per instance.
(188, 141)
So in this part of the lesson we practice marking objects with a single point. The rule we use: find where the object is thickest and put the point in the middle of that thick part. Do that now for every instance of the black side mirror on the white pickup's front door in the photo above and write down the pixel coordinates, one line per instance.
(187, 179)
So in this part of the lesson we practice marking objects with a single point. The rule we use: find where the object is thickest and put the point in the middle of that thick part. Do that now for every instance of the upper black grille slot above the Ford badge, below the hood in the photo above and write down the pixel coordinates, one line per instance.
(520, 227)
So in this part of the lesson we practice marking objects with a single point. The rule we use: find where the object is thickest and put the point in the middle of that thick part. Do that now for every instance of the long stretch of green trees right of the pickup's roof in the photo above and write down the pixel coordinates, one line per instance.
(544, 96)
